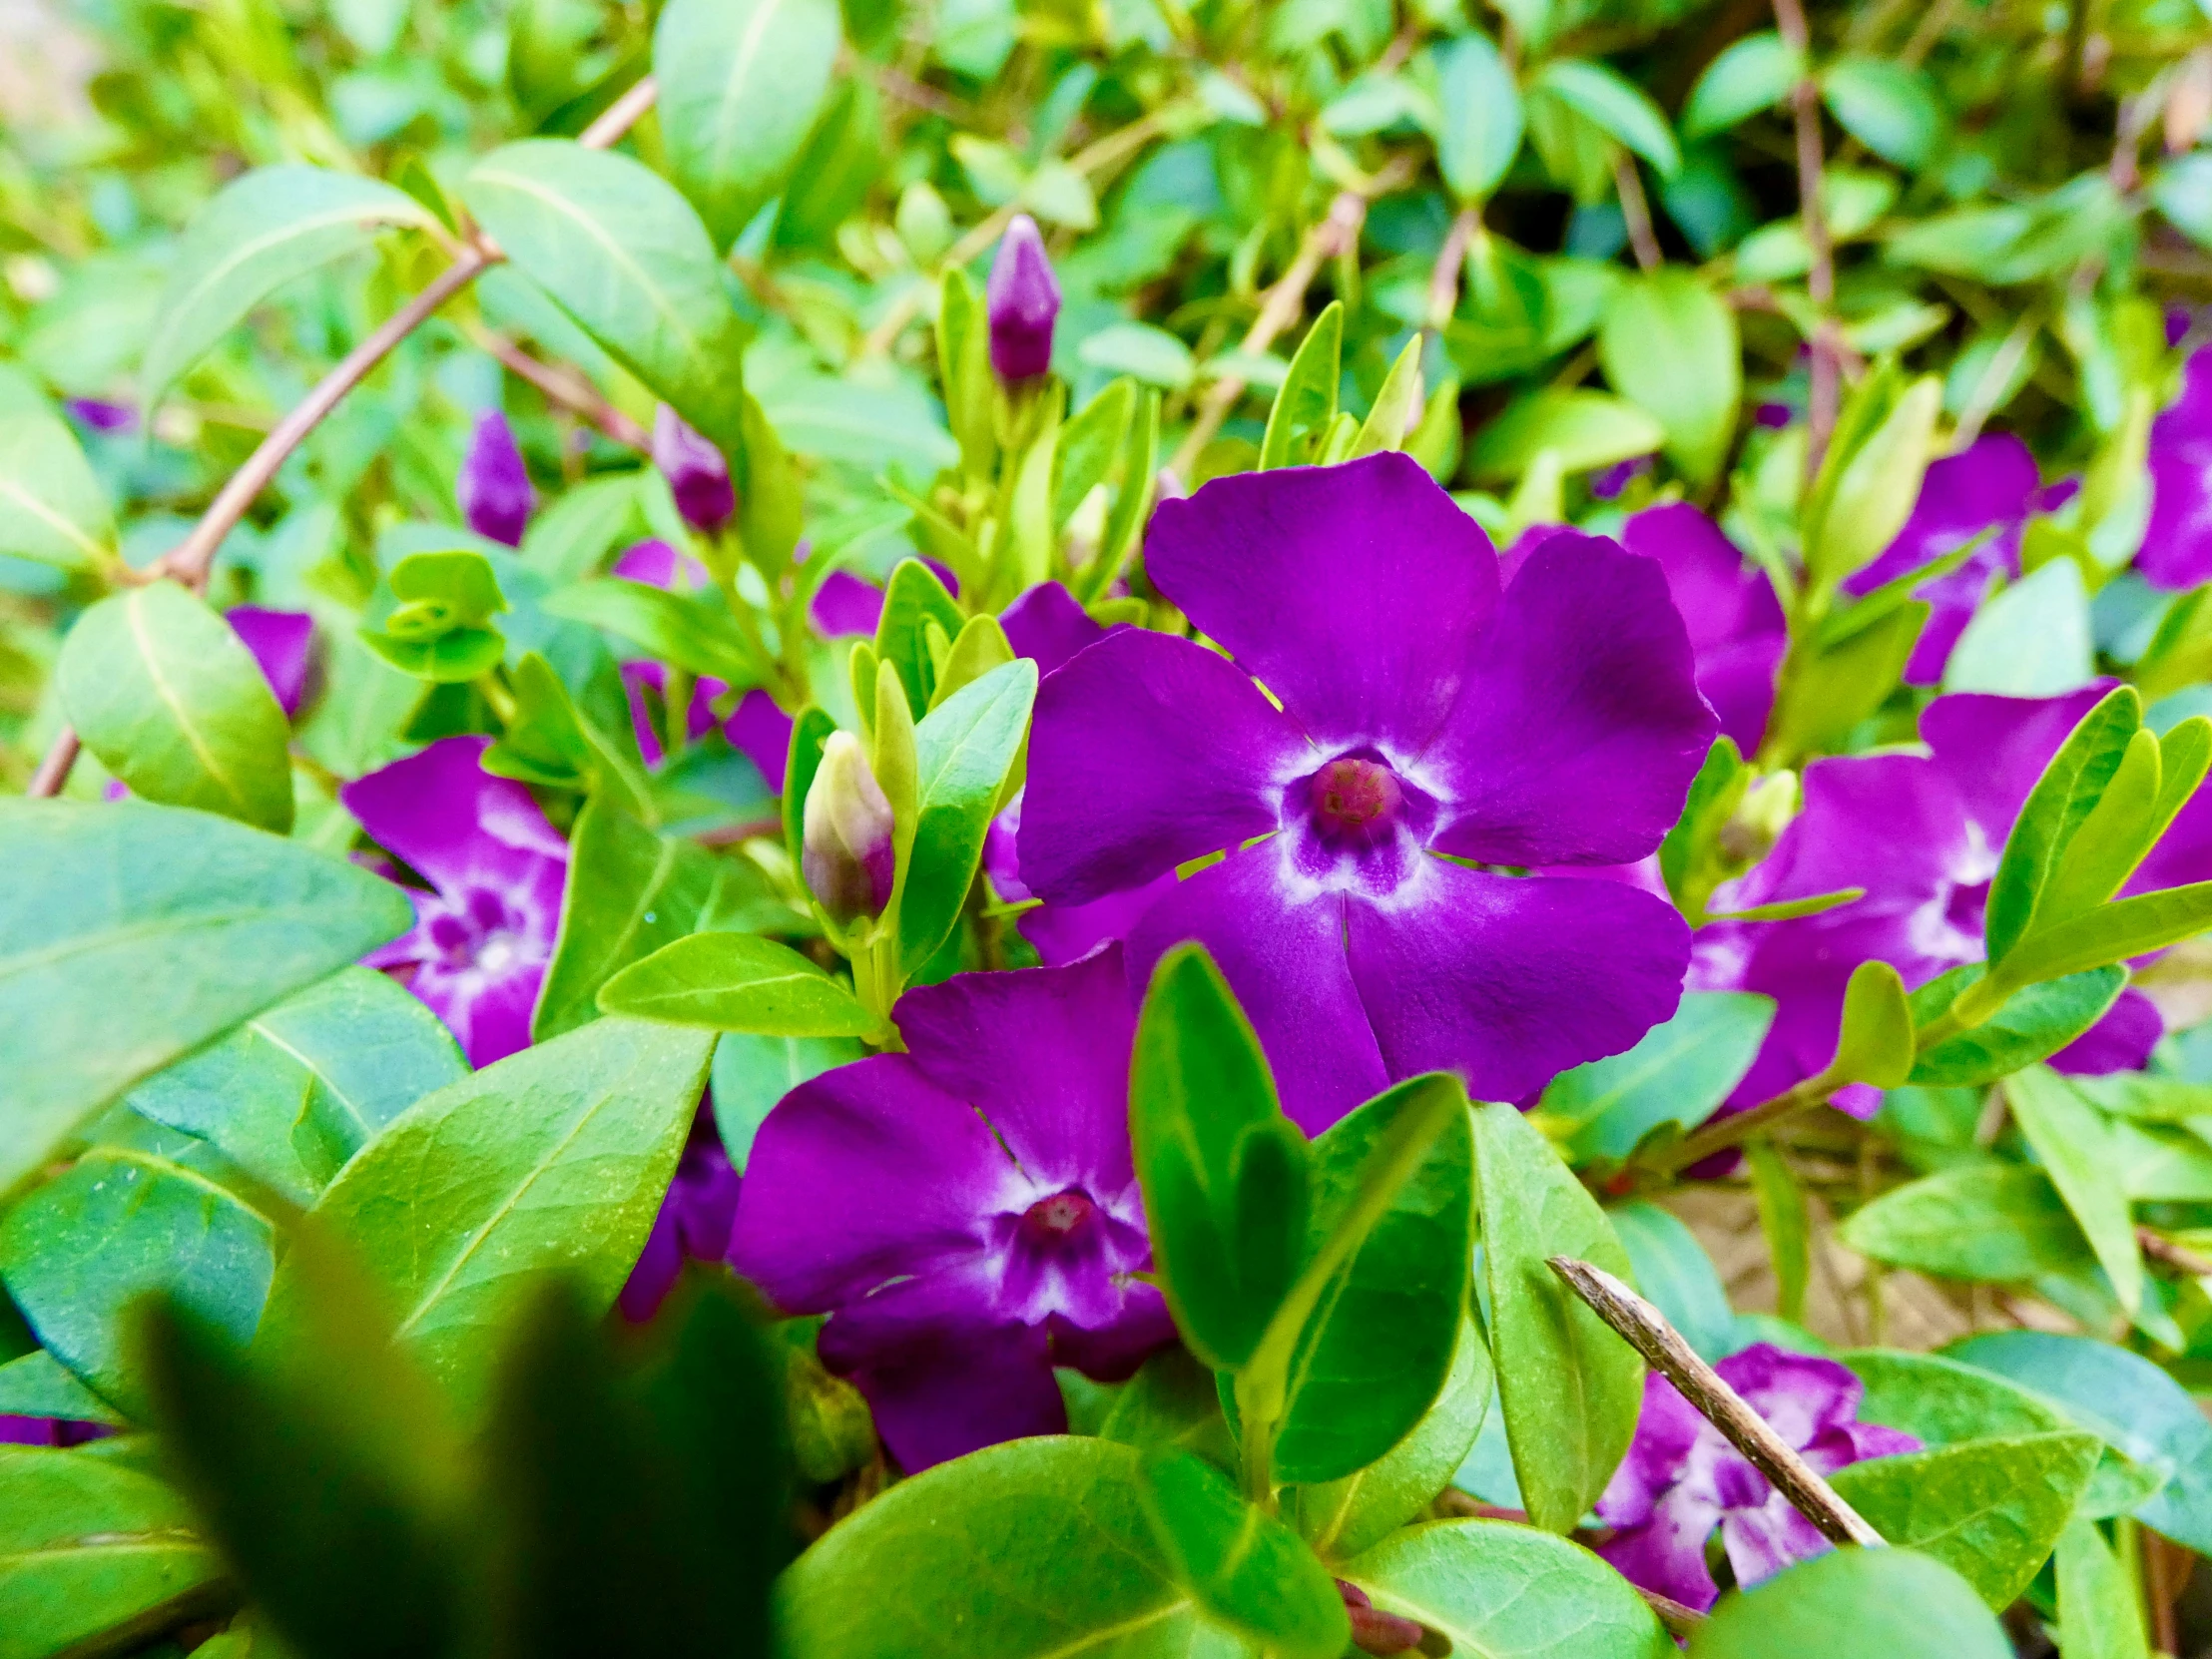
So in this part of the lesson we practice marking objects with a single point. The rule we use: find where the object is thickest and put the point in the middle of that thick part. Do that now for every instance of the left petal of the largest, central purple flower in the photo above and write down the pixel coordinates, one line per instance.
(1147, 753)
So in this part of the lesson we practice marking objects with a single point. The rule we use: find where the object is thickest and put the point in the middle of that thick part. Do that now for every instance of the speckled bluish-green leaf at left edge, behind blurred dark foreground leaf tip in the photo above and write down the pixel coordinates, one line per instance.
(112, 1229)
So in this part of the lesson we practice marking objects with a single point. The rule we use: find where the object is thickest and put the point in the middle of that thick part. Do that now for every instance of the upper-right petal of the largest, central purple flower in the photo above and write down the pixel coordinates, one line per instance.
(1580, 724)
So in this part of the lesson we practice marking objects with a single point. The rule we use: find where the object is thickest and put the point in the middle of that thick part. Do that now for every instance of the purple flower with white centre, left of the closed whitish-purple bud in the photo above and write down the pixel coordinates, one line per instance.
(486, 932)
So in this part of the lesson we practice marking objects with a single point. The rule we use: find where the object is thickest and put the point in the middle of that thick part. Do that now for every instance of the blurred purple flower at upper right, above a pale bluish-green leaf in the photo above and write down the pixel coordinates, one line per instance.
(1992, 486)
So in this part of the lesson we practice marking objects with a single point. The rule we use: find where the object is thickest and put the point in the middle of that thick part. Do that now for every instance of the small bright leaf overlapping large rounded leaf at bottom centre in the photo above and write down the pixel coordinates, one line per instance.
(1244, 1567)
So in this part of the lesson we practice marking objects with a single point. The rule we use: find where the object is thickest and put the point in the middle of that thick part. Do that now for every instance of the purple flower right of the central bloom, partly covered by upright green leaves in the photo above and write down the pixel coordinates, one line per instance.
(1923, 835)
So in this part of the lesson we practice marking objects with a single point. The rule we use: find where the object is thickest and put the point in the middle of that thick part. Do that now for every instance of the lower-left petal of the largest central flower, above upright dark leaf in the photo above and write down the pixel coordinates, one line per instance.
(1286, 963)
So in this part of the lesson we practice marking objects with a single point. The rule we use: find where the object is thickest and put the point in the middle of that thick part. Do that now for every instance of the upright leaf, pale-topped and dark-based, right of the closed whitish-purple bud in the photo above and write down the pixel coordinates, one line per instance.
(963, 753)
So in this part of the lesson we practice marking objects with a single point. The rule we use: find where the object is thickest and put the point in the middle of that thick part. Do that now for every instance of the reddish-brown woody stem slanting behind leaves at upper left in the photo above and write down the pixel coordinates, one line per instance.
(194, 559)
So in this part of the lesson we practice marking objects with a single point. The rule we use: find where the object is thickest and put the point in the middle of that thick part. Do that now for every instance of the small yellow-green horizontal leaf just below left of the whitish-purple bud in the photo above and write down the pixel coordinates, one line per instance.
(738, 983)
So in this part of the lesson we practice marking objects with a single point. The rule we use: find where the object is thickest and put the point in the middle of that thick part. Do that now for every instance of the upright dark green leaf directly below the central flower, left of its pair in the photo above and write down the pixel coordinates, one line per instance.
(1224, 1173)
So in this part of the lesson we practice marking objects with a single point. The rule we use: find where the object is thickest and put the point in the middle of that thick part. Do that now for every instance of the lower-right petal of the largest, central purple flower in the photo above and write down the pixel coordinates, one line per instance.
(1512, 981)
